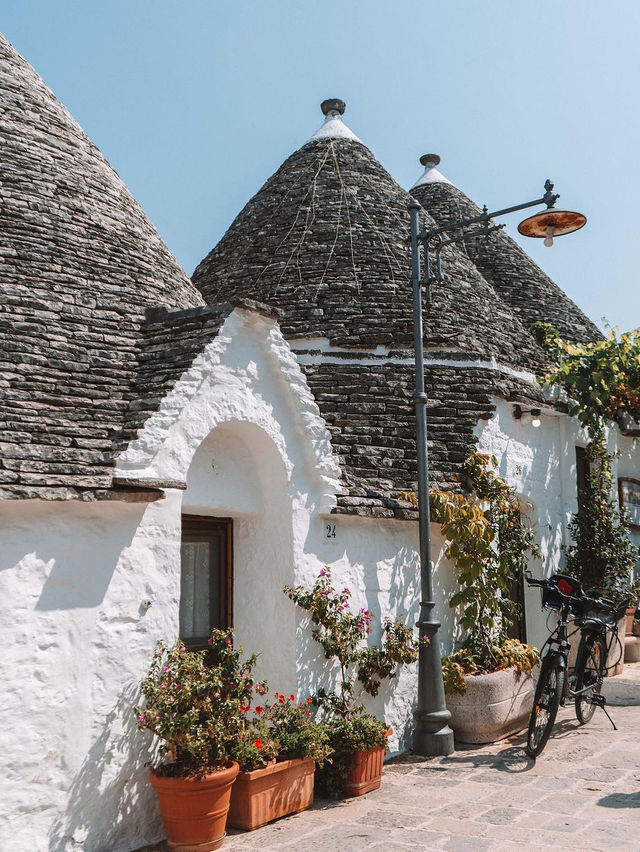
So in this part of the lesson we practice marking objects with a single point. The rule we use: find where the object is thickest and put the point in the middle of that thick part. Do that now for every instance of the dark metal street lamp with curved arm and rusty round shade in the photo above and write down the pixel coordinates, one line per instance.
(432, 735)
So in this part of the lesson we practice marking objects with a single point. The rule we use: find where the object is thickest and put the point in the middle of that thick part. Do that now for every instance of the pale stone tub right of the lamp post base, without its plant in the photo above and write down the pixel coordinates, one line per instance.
(494, 706)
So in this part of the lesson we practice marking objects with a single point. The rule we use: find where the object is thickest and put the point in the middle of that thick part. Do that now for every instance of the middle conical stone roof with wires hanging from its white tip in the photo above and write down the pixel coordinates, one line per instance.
(326, 240)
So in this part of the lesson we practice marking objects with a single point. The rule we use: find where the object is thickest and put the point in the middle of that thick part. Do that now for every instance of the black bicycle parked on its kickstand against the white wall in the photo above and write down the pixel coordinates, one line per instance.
(597, 619)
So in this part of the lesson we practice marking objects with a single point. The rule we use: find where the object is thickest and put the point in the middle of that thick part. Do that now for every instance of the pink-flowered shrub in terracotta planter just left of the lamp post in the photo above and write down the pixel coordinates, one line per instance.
(357, 739)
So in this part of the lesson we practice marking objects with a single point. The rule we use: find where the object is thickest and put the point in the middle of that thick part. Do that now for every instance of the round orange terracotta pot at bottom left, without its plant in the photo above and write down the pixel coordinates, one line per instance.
(194, 811)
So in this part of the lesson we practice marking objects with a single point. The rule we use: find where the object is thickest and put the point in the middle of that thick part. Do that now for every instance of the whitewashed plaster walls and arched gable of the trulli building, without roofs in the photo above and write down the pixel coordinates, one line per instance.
(86, 589)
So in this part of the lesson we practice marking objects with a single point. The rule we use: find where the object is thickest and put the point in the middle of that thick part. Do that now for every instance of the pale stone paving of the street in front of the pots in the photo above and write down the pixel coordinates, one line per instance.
(582, 793)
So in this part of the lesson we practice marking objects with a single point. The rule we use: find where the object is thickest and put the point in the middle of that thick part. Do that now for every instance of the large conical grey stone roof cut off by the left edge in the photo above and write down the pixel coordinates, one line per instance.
(79, 263)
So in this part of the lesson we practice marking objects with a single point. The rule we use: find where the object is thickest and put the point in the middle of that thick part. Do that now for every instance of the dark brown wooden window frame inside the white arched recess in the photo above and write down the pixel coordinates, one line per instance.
(214, 530)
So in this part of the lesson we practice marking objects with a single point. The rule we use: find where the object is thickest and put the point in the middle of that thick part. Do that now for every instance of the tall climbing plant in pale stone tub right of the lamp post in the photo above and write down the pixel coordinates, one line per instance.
(488, 682)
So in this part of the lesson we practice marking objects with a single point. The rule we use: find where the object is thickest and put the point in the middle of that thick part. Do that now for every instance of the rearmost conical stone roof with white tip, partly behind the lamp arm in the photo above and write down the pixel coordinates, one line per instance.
(521, 284)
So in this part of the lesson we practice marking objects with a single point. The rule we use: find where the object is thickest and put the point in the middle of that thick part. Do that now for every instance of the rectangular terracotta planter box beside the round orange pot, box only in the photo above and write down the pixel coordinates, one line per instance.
(271, 792)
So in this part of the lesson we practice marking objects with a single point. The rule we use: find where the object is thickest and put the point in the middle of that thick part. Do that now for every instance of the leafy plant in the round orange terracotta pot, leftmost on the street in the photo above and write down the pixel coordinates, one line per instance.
(195, 711)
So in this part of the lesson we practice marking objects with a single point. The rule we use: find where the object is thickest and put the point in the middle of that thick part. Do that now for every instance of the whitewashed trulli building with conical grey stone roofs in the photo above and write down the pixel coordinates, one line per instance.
(174, 451)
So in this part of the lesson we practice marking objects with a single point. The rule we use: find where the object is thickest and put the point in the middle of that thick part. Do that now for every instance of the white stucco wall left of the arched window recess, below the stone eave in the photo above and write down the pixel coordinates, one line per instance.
(76, 638)
